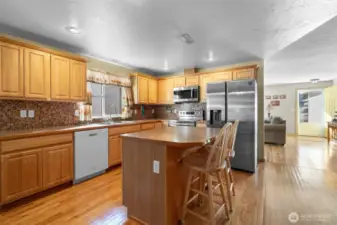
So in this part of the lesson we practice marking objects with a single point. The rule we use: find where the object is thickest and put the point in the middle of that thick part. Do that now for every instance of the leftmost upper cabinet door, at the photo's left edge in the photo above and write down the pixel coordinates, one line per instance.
(11, 70)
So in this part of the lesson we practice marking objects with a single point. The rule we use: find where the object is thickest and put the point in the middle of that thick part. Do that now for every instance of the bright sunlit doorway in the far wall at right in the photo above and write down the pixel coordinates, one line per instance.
(310, 112)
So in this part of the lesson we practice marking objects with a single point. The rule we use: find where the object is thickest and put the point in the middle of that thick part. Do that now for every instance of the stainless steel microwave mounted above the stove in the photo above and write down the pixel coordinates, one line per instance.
(186, 94)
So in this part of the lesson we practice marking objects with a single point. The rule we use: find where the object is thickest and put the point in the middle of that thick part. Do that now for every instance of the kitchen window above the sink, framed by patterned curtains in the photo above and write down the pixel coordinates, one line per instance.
(106, 100)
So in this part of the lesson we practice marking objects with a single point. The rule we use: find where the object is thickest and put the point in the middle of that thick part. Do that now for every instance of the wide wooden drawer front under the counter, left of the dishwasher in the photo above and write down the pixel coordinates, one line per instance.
(35, 142)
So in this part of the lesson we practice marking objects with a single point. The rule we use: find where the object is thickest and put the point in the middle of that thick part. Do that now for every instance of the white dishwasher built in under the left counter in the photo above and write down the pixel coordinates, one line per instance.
(91, 154)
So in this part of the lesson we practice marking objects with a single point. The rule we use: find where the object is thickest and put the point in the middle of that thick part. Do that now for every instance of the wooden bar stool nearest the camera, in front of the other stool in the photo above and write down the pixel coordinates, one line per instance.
(208, 164)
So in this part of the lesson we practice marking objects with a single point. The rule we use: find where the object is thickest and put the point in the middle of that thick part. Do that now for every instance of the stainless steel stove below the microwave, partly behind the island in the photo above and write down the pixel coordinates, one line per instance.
(187, 118)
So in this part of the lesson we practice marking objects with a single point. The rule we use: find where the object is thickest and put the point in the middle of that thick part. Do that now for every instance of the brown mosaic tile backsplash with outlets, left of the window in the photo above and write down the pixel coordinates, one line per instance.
(46, 114)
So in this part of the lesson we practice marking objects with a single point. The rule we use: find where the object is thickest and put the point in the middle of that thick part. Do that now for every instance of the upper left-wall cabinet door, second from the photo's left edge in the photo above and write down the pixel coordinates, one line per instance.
(37, 74)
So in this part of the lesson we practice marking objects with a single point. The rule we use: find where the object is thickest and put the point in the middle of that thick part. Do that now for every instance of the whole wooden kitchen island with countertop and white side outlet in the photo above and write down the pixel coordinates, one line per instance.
(153, 179)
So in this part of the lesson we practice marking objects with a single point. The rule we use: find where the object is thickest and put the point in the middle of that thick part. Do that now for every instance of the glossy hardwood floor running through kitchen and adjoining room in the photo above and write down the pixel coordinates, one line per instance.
(299, 177)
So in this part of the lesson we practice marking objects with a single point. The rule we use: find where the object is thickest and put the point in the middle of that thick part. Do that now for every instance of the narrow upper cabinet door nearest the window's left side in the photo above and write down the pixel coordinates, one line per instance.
(78, 80)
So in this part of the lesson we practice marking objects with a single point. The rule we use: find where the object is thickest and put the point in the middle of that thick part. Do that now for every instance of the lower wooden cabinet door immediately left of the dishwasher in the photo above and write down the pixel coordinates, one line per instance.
(57, 165)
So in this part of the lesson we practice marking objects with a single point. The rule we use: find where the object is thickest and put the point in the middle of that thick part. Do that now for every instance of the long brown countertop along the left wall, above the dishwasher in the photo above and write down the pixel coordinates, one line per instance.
(64, 129)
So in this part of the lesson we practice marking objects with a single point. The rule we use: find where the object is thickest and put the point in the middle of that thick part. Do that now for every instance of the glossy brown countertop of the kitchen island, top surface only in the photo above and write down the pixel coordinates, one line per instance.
(176, 135)
